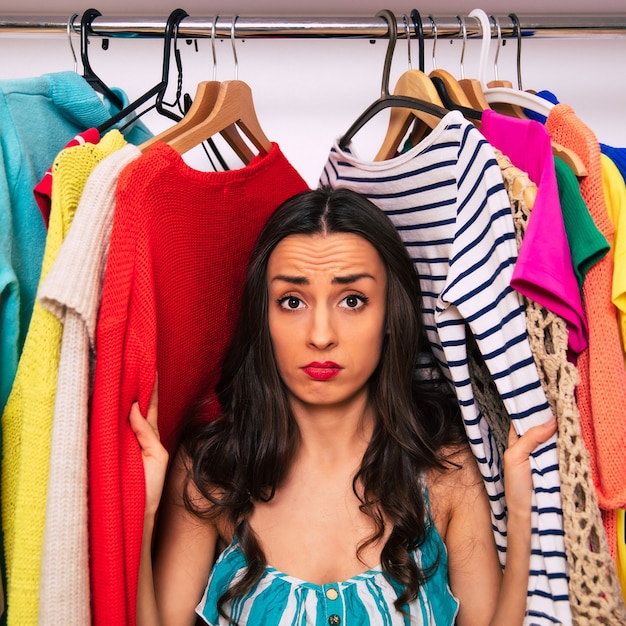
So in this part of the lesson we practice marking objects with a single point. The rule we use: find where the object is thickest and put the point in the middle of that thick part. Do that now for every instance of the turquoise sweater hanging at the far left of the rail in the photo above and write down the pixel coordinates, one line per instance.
(38, 116)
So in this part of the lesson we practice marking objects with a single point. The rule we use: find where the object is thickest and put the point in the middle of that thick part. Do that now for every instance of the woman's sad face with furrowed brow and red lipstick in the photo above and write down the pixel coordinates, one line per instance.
(327, 305)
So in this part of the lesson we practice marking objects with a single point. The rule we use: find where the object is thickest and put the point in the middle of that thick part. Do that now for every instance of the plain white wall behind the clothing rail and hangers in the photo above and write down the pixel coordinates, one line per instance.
(308, 92)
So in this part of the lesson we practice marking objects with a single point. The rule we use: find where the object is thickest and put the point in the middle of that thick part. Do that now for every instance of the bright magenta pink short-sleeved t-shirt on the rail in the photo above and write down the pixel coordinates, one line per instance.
(544, 271)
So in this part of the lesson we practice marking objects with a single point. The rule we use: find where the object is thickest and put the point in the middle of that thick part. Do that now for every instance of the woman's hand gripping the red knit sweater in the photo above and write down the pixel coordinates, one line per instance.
(155, 456)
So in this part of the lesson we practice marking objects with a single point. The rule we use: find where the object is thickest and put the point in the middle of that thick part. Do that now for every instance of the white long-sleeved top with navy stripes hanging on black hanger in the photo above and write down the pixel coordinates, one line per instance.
(447, 199)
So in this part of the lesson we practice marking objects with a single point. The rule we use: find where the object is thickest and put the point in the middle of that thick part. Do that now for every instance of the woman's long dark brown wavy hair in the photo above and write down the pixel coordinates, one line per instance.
(244, 456)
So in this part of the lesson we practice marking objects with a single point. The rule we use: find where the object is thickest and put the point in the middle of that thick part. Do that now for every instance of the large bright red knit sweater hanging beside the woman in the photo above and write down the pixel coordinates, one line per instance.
(179, 246)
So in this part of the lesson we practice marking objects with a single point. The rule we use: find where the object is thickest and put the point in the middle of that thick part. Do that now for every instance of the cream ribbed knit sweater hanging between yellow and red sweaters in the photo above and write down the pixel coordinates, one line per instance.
(71, 291)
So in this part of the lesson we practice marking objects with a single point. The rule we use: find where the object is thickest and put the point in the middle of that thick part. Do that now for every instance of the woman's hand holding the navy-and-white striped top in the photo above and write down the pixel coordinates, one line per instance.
(518, 485)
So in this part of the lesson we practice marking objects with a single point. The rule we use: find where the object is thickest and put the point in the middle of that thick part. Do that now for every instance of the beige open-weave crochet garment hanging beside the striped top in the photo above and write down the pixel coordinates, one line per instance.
(594, 590)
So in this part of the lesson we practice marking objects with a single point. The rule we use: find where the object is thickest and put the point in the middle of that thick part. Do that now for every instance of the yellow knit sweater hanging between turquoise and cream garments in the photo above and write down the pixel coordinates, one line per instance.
(27, 418)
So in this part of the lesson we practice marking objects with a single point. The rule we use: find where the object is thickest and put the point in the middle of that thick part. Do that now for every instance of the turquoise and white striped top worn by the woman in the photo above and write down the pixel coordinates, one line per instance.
(278, 599)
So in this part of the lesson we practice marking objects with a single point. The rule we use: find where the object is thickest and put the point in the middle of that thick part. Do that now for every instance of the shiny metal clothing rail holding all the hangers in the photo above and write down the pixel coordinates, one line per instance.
(545, 26)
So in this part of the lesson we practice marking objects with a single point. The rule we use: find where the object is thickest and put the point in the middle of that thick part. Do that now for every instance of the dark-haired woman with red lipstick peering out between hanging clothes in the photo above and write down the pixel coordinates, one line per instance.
(338, 487)
